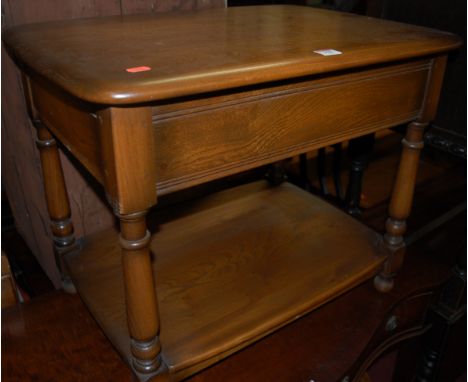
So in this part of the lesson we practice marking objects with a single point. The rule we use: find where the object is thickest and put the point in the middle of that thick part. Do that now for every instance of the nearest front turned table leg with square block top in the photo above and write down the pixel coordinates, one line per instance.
(128, 154)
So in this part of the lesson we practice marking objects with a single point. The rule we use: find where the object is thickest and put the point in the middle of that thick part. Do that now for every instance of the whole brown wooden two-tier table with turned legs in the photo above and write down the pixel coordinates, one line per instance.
(154, 104)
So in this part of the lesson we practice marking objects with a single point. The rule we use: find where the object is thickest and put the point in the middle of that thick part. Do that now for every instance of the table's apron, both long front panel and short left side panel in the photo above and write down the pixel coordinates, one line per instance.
(207, 137)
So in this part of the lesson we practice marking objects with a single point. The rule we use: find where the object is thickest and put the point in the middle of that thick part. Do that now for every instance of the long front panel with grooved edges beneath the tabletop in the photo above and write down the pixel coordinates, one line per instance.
(203, 140)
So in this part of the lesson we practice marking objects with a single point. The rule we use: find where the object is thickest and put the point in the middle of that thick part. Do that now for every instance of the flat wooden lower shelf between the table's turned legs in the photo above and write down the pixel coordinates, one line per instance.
(232, 268)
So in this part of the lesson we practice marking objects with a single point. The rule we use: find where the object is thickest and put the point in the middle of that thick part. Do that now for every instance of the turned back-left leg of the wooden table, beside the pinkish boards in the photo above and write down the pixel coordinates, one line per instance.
(57, 201)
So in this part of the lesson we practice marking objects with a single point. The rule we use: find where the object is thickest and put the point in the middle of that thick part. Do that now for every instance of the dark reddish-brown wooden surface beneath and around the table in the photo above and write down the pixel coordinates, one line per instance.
(53, 337)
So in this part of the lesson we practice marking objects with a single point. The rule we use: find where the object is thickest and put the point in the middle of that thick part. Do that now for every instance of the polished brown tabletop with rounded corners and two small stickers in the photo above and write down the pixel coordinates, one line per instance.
(142, 58)
